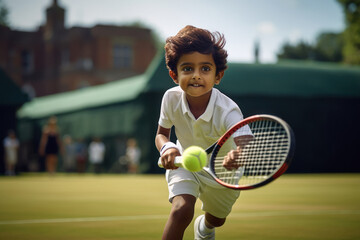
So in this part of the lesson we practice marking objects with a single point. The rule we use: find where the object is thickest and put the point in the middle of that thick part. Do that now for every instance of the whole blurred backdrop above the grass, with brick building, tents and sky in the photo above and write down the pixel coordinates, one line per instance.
(87, 78)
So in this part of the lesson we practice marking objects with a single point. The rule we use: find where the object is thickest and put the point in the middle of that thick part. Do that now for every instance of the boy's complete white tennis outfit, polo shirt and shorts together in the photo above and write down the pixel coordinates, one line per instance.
(220, 114)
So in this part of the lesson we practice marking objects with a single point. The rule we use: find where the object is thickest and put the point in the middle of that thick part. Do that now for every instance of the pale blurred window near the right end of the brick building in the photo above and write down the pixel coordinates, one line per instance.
(122, 56)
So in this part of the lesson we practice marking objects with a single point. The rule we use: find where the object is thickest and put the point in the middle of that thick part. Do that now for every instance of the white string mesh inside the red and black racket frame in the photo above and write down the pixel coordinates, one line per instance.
(259, 158)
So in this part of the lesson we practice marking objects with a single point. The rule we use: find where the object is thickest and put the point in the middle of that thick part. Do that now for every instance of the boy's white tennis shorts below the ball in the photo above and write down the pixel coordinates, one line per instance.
(216, 199)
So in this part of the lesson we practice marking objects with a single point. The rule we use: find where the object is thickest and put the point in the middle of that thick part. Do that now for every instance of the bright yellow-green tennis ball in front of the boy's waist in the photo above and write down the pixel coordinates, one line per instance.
(194, 159)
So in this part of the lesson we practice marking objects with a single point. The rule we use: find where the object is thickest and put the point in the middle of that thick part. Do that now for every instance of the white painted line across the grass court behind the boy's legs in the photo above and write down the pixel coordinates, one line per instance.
(155, 217)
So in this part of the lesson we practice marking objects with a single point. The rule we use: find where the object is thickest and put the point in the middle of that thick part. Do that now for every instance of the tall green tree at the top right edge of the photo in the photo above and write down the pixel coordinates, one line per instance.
(351, 48)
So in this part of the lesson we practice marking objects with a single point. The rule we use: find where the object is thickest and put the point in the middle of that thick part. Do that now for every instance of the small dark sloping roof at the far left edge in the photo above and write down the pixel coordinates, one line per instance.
(10, 93)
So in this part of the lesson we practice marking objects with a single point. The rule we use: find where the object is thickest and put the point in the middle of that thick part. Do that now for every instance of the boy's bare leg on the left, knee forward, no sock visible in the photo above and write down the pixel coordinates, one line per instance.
(182, 212)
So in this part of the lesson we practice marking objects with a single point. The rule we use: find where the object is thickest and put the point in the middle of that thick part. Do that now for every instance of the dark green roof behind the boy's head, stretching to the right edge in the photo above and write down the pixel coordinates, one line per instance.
(291, 78)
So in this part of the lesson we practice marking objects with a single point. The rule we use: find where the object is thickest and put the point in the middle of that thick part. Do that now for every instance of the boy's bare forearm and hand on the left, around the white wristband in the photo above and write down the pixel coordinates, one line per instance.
(168, 157)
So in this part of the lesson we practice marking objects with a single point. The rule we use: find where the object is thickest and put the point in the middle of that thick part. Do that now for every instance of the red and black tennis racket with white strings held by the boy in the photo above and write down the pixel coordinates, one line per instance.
(251, 154)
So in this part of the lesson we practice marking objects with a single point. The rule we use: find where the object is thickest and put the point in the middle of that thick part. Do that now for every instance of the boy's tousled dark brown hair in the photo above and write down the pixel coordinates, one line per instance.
(191, 39)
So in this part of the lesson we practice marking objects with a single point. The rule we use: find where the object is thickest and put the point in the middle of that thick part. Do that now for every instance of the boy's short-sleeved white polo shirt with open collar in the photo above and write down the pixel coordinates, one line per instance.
(220, 114)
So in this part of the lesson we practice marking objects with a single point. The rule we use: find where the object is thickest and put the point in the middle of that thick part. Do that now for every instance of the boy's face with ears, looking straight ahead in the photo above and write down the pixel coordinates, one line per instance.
(196, 74)
